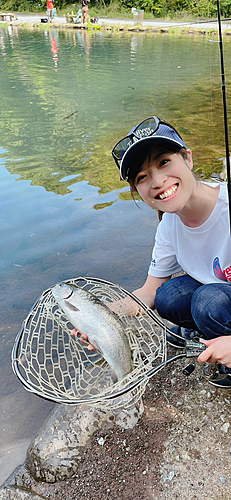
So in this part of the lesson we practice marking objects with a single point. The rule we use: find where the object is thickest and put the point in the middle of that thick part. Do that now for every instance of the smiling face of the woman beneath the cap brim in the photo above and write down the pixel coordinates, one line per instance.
(165, 181)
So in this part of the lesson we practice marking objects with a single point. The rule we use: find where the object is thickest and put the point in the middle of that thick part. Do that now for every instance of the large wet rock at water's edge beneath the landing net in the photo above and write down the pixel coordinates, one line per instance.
(55, 453)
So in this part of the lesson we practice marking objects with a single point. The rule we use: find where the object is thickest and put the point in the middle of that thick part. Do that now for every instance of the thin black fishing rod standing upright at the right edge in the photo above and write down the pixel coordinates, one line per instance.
(225, 110)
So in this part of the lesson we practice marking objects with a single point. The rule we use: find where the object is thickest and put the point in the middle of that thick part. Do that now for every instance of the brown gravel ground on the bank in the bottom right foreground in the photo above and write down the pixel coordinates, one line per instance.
(180, 448)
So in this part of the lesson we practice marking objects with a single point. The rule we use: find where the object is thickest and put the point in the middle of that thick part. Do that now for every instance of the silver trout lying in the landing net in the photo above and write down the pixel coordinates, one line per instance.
(102, 326)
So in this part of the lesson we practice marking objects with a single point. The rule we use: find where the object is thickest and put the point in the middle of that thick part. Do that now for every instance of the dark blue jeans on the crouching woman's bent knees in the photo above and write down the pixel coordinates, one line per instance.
(190, 304)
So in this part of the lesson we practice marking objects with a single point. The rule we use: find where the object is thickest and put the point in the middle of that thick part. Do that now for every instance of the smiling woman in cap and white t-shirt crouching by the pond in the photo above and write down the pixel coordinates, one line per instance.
(192, 237)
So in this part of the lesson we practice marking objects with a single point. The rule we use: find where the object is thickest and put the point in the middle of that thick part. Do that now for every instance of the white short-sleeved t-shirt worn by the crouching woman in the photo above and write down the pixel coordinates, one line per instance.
(203, 252)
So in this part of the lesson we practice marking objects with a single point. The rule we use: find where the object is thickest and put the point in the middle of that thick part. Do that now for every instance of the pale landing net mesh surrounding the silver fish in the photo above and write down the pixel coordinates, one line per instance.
(53, 364)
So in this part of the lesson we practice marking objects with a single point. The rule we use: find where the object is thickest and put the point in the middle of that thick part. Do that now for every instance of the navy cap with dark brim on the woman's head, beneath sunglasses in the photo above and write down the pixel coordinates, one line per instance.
(165, 136)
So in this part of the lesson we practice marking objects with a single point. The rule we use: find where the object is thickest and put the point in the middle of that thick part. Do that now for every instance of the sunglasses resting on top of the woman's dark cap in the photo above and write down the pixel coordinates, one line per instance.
(145, 129)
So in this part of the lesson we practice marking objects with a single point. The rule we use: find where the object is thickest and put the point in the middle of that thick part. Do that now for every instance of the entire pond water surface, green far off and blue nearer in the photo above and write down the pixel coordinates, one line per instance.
(66, 98)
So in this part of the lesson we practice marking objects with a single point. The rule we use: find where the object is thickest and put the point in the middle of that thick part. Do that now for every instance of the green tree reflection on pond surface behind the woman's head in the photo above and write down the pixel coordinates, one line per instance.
(102, 85)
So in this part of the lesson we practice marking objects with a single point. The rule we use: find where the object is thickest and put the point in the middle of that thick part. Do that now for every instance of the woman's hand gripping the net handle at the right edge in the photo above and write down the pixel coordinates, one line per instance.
(218, 350)
